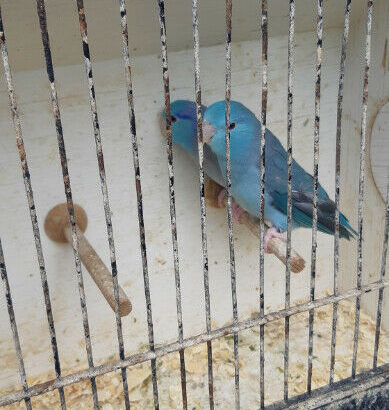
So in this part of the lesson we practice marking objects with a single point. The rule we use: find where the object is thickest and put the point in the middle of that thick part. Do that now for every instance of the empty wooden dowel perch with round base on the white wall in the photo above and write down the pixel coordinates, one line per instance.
(58, 229)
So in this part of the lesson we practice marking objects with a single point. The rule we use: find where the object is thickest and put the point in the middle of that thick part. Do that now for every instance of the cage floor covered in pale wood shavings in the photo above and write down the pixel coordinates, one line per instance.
(139, 378)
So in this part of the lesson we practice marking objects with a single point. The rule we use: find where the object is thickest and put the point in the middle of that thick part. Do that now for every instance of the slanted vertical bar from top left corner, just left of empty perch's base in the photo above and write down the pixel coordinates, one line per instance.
(31, 206)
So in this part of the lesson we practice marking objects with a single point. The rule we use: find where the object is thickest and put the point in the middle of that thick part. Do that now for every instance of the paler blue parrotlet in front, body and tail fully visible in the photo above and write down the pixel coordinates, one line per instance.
(245, 132)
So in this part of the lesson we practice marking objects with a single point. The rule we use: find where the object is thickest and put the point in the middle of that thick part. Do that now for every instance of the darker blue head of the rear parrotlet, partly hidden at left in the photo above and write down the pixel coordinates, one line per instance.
(184, 124)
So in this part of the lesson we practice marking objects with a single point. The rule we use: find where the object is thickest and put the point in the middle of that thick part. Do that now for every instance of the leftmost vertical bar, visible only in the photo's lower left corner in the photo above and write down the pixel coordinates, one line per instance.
(11, 314)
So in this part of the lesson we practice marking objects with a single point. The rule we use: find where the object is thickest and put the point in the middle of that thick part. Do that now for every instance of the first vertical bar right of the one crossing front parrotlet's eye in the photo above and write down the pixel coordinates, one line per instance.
(262, 204)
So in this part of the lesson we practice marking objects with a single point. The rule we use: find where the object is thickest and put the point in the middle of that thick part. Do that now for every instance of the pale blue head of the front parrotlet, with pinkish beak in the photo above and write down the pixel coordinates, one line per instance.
(243, 127)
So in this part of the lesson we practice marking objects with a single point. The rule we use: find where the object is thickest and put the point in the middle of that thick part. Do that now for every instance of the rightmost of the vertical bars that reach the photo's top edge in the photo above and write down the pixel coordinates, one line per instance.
(362, 181)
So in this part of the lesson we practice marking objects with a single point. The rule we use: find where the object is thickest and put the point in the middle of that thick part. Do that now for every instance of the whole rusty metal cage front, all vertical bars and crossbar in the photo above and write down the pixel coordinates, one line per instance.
(367, 387)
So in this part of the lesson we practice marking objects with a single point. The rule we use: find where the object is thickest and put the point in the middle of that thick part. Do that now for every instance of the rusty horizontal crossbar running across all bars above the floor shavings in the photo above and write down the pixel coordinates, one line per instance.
(189, 342)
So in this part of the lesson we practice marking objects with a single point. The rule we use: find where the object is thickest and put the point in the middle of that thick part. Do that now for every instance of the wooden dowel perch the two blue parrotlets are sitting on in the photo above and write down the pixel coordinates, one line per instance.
(276, 245)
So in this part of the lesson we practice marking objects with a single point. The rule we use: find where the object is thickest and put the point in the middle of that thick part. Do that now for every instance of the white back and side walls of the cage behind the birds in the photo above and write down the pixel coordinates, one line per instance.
(25, 52)
